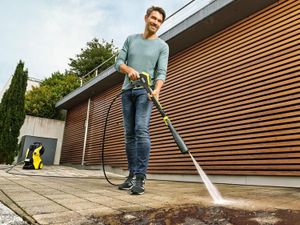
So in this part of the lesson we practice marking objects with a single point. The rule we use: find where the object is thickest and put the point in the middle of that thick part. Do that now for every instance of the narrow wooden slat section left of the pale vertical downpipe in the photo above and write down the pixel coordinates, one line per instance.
(74, 135)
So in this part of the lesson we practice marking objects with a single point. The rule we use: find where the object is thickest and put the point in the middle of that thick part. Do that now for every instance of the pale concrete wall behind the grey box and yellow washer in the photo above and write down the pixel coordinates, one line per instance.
(47, 128)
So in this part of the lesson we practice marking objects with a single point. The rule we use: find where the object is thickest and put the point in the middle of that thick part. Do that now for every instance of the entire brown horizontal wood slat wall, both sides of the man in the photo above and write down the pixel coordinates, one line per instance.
(234, 98)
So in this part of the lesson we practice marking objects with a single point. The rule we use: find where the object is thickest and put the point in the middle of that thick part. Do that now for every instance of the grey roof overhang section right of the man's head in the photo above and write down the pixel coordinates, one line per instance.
(214, 17)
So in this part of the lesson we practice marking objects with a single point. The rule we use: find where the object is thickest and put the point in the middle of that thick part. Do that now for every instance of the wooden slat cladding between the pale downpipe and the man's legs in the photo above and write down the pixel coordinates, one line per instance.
(114, 142)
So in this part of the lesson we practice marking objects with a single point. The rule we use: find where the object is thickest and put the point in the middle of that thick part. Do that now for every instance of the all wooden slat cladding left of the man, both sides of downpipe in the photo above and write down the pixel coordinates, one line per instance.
(114, 142)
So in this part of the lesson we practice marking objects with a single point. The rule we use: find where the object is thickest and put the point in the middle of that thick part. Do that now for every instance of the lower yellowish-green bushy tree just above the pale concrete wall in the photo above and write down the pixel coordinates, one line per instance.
(40, 101)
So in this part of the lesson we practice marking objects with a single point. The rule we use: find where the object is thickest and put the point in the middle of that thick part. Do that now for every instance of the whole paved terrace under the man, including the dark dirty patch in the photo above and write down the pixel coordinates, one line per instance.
(66, 195)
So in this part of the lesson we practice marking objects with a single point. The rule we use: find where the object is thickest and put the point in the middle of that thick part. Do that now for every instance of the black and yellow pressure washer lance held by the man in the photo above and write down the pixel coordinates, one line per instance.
(145, 81)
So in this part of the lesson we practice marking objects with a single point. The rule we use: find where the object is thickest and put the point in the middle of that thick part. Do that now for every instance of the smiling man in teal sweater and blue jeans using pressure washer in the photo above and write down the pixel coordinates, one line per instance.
(141, 53)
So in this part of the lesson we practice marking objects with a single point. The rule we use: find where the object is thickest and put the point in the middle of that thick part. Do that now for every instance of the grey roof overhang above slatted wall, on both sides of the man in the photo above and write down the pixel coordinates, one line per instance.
(209, 20)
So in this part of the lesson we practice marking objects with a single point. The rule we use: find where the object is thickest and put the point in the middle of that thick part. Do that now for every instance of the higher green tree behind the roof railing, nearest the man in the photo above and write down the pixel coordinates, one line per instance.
(95, 54)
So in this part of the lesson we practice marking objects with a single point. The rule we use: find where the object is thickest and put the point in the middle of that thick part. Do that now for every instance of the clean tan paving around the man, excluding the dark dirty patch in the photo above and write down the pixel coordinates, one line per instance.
(81, 196)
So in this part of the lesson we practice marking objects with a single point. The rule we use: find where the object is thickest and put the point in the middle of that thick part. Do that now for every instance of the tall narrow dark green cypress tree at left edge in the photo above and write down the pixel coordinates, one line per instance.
(12, 114)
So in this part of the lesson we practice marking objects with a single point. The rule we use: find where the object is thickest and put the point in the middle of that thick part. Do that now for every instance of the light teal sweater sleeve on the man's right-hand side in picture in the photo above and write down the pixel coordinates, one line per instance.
(162, 63)
